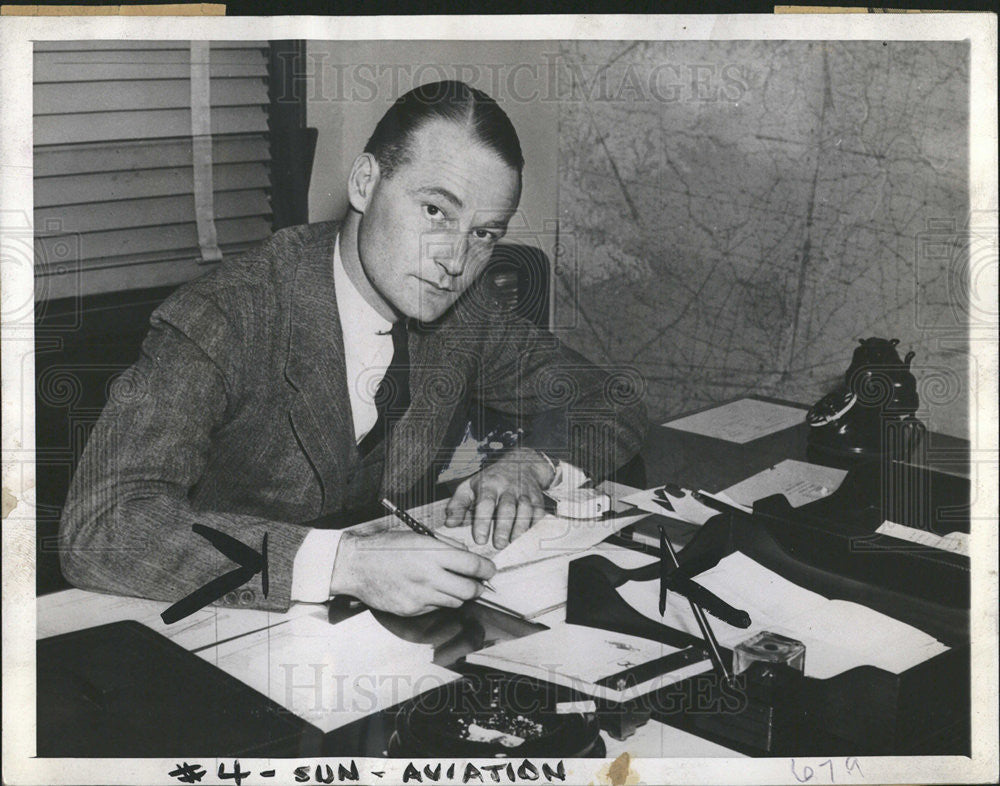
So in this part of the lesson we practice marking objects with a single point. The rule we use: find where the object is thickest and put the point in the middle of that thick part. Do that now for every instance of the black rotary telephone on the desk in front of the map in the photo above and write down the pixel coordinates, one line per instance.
(872, 413)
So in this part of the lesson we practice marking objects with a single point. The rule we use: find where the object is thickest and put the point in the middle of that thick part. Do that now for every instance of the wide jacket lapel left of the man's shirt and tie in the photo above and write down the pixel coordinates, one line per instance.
(321, 409)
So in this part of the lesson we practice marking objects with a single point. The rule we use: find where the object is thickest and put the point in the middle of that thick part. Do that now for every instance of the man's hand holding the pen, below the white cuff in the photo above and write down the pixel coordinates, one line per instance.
(406, 573)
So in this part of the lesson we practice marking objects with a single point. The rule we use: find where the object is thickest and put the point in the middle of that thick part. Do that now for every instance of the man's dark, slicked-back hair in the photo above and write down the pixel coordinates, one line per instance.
(454, 101)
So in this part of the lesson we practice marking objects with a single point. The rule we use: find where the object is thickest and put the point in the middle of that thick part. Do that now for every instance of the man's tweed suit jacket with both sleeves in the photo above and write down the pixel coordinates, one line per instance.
(237, 417)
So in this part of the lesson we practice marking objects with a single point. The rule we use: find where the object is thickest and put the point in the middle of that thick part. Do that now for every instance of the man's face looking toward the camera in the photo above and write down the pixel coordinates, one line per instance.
(428, 230)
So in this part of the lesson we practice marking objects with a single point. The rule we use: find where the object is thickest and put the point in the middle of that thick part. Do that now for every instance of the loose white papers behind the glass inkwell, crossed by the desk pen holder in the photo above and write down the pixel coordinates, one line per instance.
(839, 635)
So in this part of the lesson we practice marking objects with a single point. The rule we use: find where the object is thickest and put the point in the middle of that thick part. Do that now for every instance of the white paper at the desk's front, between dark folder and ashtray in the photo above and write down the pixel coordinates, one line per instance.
(331, 675)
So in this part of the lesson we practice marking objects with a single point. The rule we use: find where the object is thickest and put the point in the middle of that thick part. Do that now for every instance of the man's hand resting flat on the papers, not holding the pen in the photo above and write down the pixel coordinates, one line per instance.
(508, 494)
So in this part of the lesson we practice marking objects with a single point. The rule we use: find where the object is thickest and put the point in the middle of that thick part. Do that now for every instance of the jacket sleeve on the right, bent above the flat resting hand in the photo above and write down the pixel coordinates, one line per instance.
(570, 408)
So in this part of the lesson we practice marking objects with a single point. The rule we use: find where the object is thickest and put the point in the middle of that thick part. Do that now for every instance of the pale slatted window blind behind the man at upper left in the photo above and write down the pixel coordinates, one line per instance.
(114, 159)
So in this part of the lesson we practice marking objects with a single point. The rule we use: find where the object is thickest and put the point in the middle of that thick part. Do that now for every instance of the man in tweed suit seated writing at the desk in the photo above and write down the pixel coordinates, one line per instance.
(249, 408)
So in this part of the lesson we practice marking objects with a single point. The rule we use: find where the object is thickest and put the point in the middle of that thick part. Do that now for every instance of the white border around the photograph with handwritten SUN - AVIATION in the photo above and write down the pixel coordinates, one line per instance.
(16, 48)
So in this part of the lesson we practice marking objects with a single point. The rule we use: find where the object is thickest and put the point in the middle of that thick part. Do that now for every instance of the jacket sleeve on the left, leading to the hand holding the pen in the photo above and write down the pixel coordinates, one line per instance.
(127, 524)
